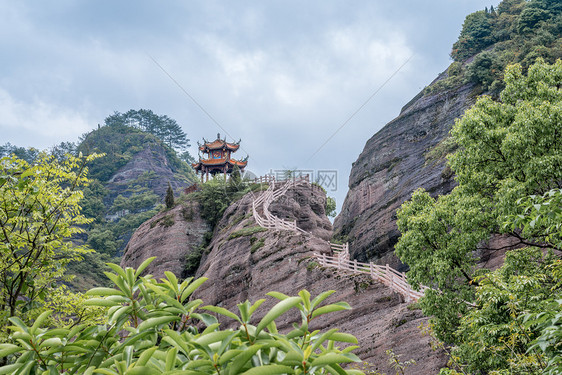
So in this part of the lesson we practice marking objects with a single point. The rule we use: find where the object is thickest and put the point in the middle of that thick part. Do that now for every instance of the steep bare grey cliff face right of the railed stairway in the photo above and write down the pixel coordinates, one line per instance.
(396, 161)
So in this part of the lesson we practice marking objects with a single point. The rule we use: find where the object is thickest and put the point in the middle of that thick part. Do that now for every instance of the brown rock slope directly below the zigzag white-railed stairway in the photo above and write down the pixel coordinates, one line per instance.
(245, 262)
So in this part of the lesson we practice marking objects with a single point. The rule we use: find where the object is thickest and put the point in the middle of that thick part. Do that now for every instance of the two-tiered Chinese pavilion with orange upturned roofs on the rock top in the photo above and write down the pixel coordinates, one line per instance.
(218, 158)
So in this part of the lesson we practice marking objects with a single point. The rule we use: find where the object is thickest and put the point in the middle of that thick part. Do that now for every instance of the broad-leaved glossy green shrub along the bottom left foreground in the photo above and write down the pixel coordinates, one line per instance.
(155, 327)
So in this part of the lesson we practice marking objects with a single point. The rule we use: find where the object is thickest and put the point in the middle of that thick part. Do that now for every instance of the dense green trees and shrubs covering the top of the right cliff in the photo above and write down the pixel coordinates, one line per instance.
(518, 31)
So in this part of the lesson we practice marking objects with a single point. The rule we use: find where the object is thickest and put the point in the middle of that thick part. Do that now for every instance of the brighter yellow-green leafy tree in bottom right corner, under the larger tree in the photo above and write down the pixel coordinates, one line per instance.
(515, 326)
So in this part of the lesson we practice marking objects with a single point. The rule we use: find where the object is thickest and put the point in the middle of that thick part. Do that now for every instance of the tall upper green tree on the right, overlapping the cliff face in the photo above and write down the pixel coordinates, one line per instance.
(508, 150)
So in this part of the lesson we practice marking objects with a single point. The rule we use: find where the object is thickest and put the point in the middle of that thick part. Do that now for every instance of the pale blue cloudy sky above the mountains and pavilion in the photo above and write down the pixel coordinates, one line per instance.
(283, 76)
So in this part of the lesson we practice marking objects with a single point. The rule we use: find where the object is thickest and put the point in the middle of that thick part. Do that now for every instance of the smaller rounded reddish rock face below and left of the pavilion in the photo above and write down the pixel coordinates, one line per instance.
(171, 236)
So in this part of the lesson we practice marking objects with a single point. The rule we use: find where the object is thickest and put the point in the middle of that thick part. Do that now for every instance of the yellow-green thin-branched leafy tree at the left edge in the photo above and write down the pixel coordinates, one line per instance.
(39, 213)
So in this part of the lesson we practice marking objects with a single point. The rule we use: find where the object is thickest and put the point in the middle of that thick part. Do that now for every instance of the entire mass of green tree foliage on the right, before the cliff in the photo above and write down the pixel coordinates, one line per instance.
(508, 171)
